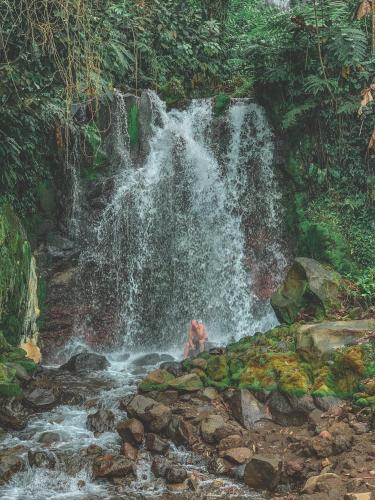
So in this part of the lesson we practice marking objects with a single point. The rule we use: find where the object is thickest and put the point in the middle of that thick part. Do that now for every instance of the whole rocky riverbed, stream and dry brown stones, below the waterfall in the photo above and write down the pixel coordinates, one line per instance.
(84, 431)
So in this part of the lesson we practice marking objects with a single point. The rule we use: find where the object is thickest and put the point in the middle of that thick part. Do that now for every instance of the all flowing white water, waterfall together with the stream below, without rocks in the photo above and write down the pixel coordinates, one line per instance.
(193, 229)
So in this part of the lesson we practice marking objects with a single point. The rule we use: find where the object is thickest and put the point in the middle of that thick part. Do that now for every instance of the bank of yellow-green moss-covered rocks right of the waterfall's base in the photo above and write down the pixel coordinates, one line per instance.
(272, 362)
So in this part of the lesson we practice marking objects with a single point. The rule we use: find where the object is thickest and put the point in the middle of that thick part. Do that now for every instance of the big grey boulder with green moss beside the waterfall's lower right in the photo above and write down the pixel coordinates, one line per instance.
(308, 285)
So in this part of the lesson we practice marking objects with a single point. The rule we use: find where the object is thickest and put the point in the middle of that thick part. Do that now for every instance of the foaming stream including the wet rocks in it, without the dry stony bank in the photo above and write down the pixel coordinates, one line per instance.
(69, 437)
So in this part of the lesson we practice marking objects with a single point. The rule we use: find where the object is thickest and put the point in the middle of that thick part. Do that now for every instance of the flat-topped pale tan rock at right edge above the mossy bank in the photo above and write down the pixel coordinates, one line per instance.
(317, 341)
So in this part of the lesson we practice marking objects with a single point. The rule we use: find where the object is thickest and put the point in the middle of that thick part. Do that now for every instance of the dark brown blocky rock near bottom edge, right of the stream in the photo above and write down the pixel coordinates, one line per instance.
(263, 472)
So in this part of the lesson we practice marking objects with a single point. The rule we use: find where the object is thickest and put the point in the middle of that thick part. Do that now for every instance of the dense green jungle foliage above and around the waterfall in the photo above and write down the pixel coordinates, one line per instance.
(312, 67)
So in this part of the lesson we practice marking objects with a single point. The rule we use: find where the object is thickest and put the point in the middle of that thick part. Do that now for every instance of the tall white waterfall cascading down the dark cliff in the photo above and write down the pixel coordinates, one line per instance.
(177, 238)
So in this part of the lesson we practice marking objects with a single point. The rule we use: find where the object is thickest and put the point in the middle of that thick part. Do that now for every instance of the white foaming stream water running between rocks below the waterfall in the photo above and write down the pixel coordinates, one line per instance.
(71, 478)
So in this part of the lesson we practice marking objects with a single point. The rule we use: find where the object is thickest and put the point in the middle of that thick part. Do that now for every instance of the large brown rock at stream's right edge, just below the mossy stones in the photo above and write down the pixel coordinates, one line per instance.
(155, 416)
